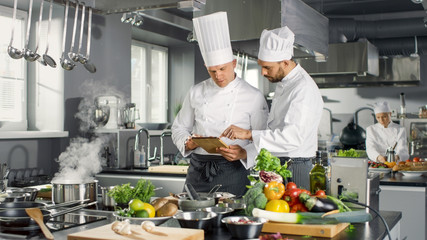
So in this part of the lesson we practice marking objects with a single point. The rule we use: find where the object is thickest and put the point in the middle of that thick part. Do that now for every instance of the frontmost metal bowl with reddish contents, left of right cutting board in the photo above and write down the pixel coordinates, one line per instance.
(244, 227)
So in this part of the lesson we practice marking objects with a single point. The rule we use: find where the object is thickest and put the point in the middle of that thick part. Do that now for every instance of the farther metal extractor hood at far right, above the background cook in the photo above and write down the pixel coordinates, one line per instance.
(396, 71)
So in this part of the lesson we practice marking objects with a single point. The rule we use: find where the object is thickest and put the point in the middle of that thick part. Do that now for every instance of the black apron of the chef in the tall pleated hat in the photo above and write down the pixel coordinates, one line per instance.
(206, 171)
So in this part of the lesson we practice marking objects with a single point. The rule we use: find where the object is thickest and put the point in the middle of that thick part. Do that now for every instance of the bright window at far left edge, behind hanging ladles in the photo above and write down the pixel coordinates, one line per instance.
(13, 79)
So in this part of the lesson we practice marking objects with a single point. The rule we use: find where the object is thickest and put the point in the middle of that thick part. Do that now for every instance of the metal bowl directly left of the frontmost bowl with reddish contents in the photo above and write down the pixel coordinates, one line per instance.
(197, 219)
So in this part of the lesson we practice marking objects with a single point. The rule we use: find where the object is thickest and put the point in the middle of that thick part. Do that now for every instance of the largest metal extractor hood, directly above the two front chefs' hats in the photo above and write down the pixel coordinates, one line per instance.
(248, 18)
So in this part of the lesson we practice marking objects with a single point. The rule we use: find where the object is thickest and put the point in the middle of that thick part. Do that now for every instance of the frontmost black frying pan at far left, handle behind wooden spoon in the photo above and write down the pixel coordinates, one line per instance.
(14, 218)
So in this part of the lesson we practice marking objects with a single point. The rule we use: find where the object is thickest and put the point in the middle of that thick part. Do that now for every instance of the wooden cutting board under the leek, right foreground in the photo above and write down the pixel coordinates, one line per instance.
(327, 230)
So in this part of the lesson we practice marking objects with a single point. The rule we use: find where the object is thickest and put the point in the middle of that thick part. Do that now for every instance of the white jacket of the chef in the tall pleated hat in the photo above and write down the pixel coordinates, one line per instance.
(208, 110)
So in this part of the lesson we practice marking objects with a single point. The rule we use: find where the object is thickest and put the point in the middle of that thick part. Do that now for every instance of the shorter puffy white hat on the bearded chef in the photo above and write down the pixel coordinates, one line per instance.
(276, 45)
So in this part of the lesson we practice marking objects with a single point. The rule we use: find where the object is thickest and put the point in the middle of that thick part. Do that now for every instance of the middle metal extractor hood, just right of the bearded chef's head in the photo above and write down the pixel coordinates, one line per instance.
(354, 58)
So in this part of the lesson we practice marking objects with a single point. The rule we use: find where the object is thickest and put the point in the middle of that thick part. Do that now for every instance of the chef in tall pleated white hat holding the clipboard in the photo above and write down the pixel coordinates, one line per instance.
(214, 104)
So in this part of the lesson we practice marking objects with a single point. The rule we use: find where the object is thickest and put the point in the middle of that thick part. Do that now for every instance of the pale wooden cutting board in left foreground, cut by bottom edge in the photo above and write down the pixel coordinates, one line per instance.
(160, 233)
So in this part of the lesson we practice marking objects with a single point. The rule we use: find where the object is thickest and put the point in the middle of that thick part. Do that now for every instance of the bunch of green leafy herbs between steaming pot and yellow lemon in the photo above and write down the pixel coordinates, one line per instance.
(122, 194)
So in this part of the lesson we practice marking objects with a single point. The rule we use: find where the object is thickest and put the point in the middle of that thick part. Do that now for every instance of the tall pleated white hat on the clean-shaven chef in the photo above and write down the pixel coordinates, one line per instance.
(214, 38)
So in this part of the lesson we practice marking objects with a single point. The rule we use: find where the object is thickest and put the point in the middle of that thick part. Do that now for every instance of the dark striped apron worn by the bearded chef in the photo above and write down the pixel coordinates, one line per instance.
(300, 168)
